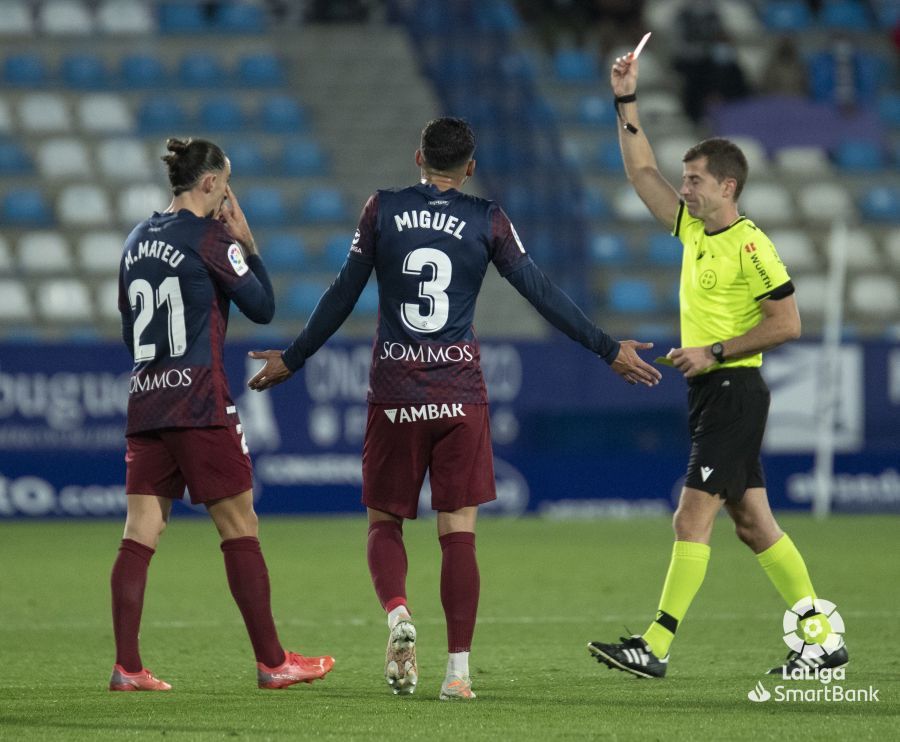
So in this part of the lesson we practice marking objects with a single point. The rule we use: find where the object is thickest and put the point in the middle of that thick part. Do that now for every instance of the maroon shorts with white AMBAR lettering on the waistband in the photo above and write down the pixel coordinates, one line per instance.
(450, 441)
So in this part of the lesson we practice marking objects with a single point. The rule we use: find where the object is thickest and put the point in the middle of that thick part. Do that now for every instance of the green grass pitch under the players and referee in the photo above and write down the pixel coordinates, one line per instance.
(547, 589)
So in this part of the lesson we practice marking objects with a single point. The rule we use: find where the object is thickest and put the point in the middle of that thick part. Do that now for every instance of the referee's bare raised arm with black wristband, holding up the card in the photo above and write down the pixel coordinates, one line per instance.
(640, 163)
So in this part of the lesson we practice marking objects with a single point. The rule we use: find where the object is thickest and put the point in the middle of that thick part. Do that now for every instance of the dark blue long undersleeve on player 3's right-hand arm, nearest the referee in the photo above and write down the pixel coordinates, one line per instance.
(560, 311)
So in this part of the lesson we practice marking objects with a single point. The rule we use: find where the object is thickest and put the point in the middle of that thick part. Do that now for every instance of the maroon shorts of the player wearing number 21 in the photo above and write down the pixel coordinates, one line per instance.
(212, 462)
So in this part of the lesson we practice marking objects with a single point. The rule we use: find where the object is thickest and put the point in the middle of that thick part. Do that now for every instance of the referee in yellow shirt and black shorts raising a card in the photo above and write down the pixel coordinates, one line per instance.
(736, 301)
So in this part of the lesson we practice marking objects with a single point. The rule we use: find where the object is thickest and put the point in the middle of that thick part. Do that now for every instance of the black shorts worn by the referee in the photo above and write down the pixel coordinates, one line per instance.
(727, 418)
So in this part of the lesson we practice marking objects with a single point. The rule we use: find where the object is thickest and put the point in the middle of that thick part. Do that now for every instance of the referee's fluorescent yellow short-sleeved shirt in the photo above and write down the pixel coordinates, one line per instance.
(724, 276)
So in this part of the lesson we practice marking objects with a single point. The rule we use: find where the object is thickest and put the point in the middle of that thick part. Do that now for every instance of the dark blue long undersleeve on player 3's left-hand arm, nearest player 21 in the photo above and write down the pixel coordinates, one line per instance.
(333, 308)
